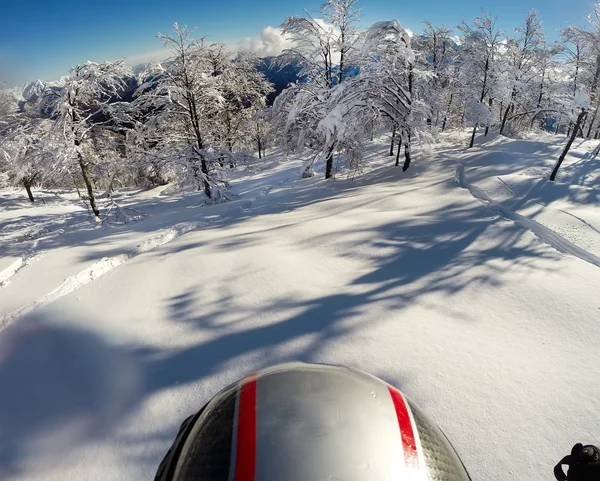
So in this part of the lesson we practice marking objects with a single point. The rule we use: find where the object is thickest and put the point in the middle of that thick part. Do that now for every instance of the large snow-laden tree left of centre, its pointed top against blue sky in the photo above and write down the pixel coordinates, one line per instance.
(194, 107)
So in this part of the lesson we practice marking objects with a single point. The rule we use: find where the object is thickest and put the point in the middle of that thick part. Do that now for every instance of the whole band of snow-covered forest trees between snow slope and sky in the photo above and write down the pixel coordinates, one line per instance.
(193, 119)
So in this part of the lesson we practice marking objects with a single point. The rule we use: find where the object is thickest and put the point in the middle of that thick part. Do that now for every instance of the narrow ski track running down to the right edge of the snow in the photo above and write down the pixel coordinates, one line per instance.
(542, 232)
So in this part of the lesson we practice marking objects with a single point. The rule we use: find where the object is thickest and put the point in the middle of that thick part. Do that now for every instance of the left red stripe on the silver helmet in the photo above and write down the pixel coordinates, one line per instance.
(245, 459)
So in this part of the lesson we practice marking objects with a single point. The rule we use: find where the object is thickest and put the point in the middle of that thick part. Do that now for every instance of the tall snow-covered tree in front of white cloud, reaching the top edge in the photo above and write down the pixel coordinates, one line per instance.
(323, 48)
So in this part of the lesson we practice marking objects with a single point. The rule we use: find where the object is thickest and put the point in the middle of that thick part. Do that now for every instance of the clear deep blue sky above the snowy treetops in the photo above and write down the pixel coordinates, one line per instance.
(42, 39)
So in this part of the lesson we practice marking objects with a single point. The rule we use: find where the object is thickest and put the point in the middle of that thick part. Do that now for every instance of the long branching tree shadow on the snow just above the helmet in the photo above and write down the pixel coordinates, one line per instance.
(439, 252)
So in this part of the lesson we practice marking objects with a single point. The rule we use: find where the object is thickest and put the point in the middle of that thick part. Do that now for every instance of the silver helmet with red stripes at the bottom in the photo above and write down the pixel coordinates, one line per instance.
(306, 422)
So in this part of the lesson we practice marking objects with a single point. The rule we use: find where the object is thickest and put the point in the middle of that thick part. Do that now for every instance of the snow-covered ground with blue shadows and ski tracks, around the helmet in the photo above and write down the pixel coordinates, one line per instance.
(470, 282)
